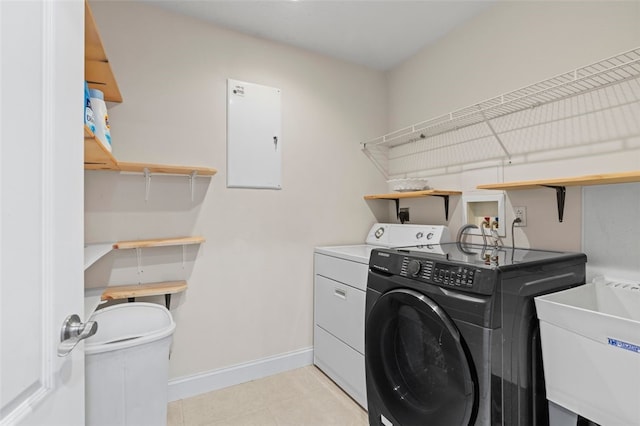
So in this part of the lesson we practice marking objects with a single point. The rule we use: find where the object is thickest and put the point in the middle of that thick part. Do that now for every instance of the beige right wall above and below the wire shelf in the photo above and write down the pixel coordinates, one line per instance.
(511, 45)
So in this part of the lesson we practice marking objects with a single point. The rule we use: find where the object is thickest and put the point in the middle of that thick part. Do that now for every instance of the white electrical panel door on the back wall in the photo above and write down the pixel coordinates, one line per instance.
(254, 127)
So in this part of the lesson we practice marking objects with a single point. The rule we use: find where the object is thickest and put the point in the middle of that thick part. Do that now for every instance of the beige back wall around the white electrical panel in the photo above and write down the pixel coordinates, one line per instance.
(250, 292)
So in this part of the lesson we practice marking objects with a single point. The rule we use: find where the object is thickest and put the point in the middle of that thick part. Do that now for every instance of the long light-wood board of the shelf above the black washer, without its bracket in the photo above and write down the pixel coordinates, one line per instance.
(599, 179)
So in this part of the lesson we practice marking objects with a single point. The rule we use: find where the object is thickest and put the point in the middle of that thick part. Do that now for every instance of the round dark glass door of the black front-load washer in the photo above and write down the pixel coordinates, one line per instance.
(417, 361)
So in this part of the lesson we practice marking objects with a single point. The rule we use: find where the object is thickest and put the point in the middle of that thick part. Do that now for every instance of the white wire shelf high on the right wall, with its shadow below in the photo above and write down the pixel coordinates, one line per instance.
(593, 104)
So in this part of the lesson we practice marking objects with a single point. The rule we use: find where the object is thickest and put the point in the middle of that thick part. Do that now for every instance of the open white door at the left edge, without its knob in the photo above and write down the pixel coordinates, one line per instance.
(41, 209)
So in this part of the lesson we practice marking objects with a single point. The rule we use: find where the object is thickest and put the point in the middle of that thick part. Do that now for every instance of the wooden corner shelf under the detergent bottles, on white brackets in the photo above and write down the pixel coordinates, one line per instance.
(96, 157)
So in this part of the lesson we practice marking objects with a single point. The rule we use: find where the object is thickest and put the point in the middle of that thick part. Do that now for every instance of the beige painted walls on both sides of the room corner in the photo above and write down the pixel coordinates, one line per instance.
(250, 286)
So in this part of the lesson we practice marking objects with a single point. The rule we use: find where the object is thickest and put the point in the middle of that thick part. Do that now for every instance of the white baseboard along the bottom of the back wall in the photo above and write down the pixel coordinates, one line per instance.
(188, 386)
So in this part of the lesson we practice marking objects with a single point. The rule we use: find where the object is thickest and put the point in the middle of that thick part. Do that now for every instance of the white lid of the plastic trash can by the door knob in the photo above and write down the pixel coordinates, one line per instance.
(129, 324)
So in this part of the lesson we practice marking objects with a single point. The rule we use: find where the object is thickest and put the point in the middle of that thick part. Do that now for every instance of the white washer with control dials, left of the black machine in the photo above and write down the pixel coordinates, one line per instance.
(340, 284)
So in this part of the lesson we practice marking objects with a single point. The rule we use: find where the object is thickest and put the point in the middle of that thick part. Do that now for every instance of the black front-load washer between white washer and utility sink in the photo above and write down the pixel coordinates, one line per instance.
(452, 337)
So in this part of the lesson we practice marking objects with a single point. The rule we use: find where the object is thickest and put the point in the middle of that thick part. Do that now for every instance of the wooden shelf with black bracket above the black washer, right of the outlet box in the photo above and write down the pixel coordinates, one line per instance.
(560, 184)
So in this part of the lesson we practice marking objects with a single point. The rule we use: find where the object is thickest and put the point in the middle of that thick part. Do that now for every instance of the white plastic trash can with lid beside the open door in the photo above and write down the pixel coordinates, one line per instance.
(127, 365)
